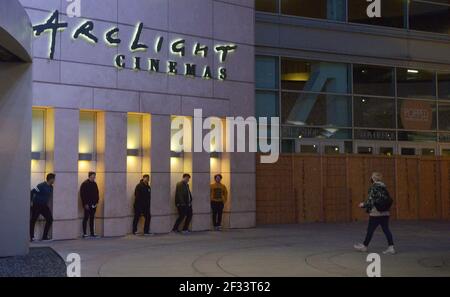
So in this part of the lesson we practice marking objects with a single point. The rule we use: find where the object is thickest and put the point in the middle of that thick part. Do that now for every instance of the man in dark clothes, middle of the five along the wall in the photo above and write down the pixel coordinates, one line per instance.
(142, 202)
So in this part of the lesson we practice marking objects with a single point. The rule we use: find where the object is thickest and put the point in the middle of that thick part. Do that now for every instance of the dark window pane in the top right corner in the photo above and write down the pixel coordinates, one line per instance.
(429, 17)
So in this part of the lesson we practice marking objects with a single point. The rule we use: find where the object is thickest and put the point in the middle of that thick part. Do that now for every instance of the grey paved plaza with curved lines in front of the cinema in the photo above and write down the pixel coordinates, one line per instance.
(287, 250)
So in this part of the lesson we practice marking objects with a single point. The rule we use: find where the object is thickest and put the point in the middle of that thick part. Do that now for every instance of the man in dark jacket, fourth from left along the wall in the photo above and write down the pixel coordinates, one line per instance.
(183, 201)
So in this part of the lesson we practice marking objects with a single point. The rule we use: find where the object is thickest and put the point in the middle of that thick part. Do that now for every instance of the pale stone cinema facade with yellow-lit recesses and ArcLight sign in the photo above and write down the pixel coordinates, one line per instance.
(106, 91)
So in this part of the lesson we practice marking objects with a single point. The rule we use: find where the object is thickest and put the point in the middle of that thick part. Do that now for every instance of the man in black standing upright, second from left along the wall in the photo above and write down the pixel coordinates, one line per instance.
(89, 198)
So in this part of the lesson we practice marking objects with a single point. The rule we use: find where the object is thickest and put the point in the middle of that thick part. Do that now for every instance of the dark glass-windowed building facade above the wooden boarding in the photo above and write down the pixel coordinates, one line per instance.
(343, 82)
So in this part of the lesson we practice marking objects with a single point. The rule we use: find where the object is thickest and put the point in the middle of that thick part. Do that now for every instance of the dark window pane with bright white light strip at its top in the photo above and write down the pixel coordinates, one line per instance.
(415, 83)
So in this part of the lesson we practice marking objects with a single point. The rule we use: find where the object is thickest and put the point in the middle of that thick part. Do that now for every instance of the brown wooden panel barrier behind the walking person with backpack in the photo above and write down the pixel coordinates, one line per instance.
(312, 188)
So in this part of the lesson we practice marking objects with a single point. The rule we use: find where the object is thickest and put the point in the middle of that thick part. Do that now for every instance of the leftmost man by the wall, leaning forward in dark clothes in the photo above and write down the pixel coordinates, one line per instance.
(40, 196)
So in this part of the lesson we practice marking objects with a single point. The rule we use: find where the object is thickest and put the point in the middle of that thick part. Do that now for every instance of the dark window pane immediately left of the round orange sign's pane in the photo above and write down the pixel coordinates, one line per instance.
(374, 112)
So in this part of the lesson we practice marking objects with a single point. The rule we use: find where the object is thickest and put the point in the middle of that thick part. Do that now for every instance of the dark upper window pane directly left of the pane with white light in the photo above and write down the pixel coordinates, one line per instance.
(373, 80)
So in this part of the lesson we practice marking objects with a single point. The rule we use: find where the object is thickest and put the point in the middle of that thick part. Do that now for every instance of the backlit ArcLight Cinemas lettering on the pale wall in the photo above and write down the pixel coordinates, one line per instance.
(112, 38)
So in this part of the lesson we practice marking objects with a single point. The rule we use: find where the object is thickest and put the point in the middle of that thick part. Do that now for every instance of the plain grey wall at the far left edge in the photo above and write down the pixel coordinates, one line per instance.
(15, 126)
